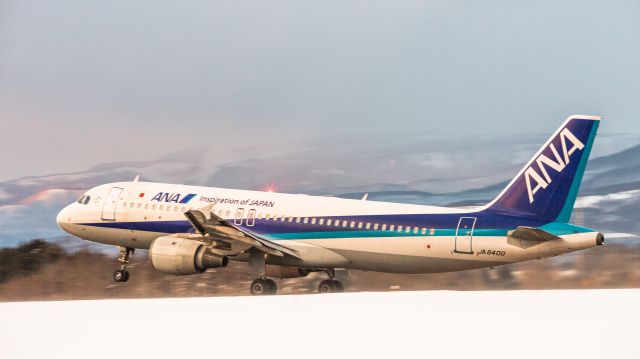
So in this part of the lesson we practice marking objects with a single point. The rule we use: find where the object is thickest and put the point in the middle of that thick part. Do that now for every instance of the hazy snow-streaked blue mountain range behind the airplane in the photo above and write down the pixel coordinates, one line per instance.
(407, 168)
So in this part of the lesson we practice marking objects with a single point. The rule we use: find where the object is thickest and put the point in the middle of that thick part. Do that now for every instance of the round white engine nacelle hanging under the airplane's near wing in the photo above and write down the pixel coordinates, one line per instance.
(180, 256)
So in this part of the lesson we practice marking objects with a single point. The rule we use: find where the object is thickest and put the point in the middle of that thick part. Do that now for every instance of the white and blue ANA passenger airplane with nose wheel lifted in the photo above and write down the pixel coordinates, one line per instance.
(189, 229)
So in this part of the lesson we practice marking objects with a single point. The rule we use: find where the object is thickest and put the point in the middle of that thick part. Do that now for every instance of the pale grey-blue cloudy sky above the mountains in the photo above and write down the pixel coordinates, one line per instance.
(85, 82)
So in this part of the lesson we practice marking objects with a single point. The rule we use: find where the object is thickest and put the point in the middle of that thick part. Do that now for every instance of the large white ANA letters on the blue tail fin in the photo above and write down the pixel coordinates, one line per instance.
(542, 181)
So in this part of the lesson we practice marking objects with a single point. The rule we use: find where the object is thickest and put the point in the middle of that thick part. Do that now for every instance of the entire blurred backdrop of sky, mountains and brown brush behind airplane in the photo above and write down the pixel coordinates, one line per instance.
(431, 102)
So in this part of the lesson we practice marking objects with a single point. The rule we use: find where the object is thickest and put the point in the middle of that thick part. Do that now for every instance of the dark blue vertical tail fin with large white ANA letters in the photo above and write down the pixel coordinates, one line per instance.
(546, 188)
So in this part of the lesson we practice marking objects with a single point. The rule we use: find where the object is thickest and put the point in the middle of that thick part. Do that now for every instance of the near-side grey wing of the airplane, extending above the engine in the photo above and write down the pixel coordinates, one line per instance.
(223, 230)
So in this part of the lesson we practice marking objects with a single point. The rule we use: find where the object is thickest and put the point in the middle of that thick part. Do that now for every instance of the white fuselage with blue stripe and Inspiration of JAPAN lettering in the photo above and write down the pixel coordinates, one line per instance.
(368, 235)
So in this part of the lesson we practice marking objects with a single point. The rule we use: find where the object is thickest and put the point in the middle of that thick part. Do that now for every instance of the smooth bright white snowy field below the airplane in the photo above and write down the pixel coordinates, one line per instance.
(434, 324)
